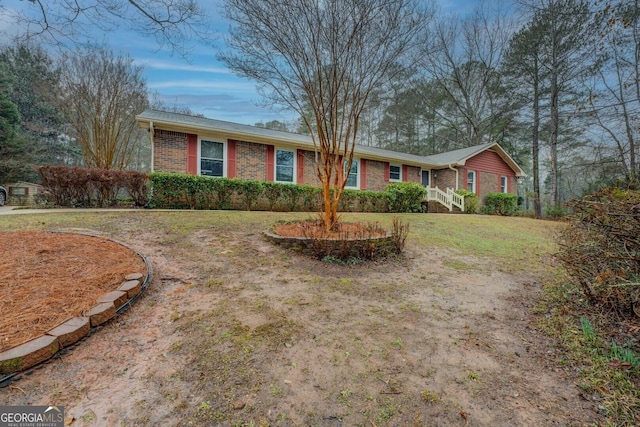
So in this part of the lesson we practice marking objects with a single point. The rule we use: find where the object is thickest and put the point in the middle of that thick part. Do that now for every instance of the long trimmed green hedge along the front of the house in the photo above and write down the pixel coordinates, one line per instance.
(180, 191)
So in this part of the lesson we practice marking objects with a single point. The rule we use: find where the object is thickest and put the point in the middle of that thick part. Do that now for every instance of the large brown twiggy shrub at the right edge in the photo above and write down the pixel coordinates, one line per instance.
(601, 248)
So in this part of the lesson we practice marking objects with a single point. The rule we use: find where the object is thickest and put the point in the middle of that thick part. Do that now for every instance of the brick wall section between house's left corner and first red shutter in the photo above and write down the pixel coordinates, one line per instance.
(170, 151)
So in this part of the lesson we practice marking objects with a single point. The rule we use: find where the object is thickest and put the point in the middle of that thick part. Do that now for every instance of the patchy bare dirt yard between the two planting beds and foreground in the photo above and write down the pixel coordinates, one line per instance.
(235, 331)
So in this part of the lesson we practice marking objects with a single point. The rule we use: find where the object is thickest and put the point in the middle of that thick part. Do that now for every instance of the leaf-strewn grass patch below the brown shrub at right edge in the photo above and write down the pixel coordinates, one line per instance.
(609, 372)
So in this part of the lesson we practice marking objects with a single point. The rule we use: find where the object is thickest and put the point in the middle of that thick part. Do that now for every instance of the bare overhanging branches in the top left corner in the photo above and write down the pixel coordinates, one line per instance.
(170, 22)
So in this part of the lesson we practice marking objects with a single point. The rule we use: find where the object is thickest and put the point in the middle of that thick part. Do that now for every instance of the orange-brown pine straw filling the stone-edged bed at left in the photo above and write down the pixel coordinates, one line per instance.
(47, 278)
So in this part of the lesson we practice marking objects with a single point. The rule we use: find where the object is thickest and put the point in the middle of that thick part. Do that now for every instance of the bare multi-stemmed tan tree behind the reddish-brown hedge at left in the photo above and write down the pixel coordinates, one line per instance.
(101, 96)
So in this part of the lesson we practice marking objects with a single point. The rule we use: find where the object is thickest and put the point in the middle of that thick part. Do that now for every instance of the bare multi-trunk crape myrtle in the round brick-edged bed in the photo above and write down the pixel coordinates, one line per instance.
(325, 57)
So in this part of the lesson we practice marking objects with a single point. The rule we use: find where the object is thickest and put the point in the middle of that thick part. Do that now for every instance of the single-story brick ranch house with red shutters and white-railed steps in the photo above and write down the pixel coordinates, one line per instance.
(202, 146)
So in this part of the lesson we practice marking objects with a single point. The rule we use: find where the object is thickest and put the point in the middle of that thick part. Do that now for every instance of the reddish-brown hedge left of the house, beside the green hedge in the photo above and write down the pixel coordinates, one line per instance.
(78, 187)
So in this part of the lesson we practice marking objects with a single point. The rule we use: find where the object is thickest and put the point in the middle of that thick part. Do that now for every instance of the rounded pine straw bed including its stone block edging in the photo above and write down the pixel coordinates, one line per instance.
(54, 287)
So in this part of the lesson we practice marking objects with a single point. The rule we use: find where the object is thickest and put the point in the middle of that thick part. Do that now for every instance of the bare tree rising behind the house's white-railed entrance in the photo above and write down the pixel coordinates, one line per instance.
(464, 71)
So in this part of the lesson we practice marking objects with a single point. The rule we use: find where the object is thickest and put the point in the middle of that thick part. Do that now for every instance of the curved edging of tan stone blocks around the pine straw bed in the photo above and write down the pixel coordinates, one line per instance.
(39, 350)
